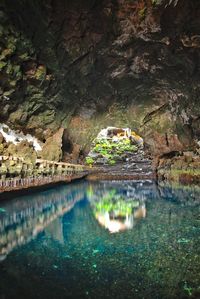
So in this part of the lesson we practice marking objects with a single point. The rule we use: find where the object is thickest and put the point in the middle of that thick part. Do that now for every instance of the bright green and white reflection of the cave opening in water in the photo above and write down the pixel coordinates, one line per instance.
(116, 208)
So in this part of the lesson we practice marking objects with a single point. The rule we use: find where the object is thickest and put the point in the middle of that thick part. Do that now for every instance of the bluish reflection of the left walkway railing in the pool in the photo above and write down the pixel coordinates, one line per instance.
(22, 219)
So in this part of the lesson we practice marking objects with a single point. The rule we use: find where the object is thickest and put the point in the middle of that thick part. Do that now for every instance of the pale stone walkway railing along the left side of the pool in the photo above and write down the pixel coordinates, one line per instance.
(21, 173)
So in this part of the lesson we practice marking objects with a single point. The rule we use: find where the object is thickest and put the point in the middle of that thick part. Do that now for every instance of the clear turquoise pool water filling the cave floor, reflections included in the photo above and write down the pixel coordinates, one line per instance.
(101, 240)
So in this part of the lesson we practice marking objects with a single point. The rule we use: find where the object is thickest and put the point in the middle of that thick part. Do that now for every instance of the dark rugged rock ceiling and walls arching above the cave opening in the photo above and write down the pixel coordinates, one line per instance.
(83, 65)
